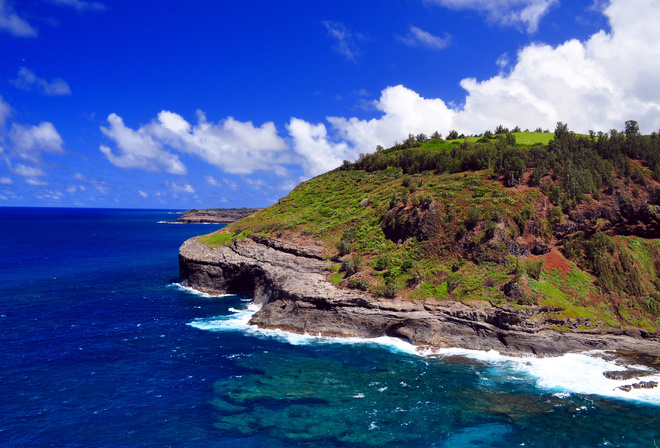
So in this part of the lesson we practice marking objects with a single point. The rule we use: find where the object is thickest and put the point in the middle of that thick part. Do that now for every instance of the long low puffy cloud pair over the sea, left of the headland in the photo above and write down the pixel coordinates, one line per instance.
(236, 147)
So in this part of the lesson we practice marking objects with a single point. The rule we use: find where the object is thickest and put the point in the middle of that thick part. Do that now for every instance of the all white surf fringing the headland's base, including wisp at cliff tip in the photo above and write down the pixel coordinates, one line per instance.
(612, 375)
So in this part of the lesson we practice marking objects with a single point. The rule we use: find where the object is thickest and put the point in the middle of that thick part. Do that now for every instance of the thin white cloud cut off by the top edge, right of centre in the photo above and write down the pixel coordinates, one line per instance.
(525, 13)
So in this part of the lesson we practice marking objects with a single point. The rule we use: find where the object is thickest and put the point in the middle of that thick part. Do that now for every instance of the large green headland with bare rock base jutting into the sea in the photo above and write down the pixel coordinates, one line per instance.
(523, 242)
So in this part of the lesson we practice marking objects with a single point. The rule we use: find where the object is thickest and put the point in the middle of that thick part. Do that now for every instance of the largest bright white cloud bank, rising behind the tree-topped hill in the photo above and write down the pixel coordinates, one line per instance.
(596, 84)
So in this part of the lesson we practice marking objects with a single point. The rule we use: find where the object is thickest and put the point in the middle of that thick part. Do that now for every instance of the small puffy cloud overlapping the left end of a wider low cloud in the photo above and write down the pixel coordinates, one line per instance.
(138, 149)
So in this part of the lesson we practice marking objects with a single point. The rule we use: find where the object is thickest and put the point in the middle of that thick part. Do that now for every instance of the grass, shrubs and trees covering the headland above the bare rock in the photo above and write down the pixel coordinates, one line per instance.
(558, 220)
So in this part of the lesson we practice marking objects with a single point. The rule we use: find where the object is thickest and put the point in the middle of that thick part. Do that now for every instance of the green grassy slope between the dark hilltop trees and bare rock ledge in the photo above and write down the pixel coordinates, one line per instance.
(434, 235)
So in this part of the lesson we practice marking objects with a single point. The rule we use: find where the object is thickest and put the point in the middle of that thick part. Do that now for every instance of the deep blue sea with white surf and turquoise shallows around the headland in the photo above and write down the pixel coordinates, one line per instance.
(101, 347)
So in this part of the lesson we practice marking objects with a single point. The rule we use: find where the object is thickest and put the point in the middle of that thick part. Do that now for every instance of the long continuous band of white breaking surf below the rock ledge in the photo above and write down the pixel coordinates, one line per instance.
(560, 376)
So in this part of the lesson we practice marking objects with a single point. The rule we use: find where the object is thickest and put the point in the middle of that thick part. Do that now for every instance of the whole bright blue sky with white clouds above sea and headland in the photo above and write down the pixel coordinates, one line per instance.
(201, 104)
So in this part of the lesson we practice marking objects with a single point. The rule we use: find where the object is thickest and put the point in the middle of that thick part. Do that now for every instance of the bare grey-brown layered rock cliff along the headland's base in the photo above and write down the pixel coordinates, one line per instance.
(290, 285)
